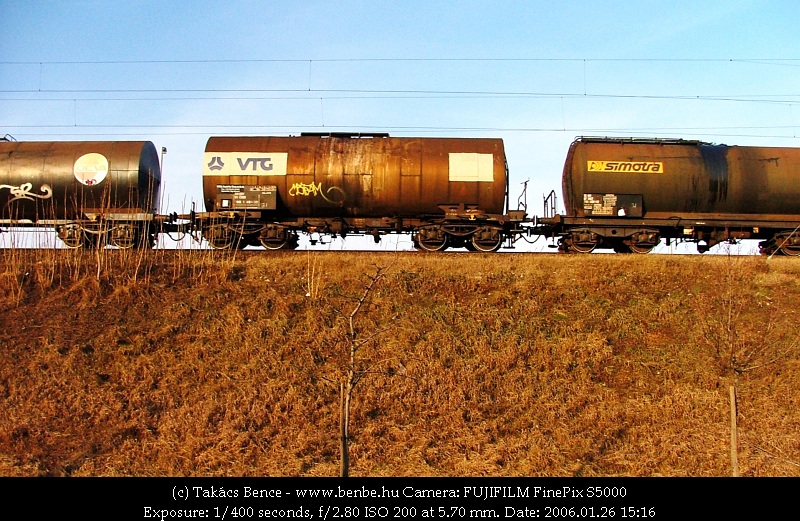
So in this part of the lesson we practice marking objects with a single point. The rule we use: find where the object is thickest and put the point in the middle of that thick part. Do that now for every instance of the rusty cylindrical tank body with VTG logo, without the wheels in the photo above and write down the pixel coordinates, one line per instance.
(344, 176)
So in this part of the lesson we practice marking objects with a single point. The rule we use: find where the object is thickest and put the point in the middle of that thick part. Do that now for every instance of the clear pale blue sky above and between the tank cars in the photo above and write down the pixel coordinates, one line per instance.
(534, 73)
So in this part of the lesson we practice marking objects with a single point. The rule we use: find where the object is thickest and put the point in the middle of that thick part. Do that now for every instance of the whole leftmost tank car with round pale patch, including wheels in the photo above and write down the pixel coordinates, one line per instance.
(90, 192)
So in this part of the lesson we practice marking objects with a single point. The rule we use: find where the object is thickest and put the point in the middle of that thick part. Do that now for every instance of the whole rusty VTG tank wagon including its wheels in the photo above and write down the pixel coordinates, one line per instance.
(445, 191)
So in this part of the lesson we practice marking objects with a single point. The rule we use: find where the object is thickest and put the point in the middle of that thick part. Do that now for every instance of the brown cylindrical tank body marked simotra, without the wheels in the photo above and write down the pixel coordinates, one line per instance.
(677, 178)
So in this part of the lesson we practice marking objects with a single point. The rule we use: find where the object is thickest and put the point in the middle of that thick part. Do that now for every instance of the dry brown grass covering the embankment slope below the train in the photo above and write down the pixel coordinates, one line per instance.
(176, 363)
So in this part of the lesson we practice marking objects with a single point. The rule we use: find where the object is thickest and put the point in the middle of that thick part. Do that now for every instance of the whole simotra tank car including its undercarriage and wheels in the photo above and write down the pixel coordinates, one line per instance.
(628, 194)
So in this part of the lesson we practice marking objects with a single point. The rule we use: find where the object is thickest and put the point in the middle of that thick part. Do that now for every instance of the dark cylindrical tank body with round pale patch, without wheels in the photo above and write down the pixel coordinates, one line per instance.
(44, 181)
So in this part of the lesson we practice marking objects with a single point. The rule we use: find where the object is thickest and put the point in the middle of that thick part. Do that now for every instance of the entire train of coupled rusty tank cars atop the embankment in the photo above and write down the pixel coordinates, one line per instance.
(623, 194)
